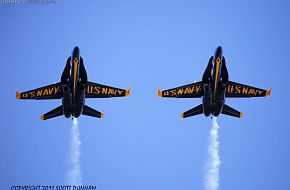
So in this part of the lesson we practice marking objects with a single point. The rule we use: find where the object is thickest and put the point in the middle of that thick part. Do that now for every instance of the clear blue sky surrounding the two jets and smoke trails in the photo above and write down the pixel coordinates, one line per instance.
(142, 143)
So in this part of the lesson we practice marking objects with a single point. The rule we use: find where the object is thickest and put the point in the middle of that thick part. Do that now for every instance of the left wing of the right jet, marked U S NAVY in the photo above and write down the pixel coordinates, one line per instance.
(194, 90)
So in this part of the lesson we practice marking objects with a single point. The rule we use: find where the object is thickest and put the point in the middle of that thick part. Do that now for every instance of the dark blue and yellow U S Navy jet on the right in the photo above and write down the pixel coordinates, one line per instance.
(215, 87)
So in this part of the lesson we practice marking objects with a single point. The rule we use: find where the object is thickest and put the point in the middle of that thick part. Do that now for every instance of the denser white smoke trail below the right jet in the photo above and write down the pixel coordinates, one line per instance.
(213, 165)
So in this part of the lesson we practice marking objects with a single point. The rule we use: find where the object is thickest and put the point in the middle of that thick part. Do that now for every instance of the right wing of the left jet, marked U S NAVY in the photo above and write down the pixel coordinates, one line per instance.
(95, 90)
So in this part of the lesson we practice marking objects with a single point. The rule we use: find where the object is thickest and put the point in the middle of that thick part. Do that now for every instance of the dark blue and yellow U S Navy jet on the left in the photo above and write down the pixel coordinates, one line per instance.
(73, 88)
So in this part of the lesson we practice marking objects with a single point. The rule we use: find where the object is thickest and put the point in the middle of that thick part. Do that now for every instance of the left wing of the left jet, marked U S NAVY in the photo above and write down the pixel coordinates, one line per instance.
(53, 91)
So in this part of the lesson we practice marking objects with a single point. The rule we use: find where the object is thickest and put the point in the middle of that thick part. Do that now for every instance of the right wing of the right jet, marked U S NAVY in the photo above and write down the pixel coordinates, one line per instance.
(236, 90)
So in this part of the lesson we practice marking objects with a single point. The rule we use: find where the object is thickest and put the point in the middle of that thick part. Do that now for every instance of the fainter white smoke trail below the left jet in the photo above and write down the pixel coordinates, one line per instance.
(74, 174)
